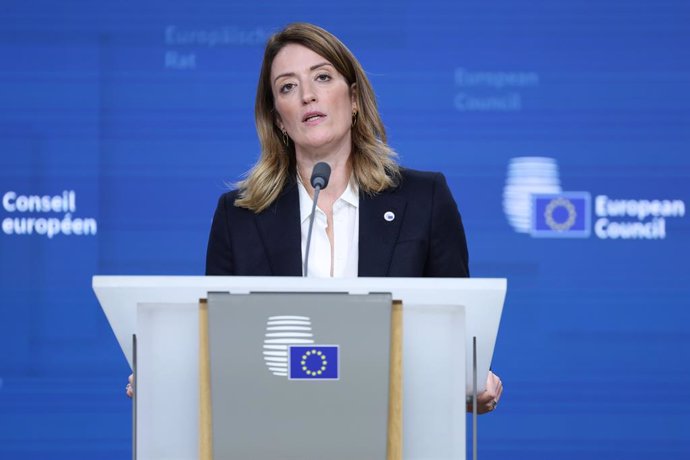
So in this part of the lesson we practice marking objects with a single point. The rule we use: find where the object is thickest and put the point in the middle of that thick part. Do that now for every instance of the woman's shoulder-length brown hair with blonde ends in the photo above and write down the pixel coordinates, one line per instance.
(374, 163)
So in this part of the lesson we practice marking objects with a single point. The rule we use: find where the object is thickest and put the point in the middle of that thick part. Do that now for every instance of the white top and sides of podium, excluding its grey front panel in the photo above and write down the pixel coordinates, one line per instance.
(441, 316)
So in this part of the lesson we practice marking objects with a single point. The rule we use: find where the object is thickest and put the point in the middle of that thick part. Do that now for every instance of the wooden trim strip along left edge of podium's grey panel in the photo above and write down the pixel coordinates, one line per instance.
(205, 420)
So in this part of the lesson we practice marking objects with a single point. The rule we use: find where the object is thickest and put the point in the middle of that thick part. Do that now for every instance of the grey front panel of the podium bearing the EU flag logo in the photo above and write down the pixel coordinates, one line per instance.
(261, 411)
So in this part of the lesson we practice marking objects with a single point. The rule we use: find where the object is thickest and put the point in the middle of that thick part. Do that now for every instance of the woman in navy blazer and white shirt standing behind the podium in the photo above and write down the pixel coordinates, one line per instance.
(314, 104)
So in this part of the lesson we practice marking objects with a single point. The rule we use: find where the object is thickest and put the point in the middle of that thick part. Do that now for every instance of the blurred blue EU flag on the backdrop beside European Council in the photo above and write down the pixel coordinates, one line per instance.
(561, 215)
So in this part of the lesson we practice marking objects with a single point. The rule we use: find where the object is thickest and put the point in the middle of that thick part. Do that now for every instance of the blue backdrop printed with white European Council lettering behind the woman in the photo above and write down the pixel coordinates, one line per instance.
(131, 117)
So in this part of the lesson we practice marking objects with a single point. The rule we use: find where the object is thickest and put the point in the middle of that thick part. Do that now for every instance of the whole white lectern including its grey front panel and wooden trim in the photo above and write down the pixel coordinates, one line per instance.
(440, 319)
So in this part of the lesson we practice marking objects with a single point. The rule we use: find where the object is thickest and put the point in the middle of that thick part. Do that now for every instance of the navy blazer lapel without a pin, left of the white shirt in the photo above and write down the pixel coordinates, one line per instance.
(280, 230)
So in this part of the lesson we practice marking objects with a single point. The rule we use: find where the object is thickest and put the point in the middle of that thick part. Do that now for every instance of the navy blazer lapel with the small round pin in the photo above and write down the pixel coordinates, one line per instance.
(378, 231)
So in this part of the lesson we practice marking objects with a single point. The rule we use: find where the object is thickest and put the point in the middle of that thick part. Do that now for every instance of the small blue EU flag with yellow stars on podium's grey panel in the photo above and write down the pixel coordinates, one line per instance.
(313, 362)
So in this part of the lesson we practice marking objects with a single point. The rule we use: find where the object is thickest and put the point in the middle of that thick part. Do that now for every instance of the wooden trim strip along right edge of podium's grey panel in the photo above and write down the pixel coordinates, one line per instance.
(395, 433)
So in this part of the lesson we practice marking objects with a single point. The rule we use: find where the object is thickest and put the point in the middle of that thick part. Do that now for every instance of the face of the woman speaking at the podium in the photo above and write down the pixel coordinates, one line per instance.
(313, 102)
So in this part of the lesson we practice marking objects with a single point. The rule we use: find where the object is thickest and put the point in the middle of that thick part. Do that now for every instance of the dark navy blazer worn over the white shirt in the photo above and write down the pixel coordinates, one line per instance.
(426, 237)
